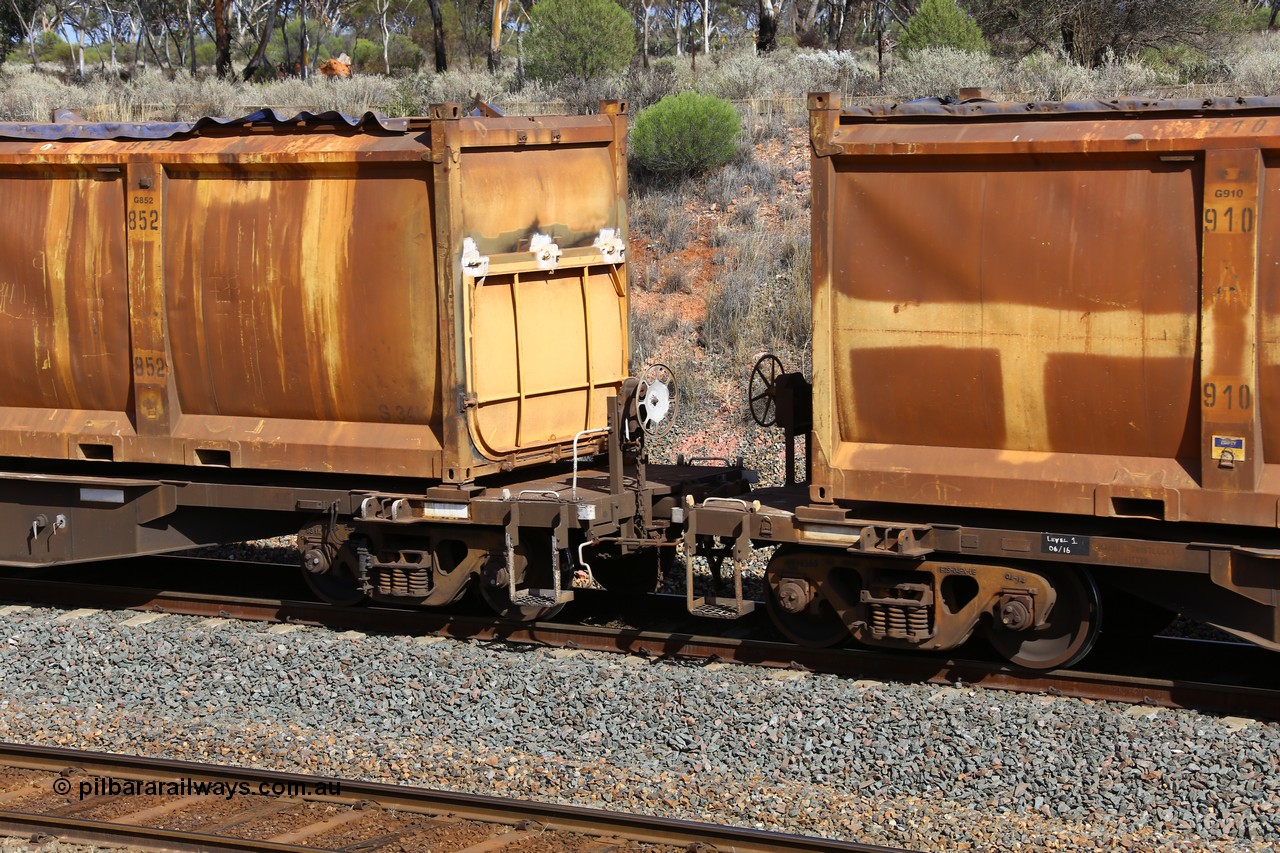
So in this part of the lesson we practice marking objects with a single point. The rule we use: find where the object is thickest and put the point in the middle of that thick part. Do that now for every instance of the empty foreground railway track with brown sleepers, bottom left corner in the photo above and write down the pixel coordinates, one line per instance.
(157, 805)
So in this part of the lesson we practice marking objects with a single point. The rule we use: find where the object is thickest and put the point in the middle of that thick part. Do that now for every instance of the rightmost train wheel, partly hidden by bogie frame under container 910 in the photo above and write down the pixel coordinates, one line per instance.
(1068, 636)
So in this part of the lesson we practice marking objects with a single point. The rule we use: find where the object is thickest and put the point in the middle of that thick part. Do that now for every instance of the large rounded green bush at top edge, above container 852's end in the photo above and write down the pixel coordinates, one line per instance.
(579, 39)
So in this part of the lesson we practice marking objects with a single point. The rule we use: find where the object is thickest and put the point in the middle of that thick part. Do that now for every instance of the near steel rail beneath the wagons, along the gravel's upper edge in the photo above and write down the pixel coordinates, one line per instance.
(870, 664)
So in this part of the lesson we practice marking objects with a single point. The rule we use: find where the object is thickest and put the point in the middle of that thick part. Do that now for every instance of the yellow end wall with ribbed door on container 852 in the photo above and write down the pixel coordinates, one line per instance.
(546, 337)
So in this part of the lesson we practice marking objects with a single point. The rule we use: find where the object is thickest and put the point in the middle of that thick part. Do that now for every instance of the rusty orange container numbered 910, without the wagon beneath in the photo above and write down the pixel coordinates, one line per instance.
(1067, 309)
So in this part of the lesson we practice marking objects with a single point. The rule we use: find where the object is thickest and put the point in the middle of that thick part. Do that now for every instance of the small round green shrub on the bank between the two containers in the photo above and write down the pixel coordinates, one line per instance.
(687, 134)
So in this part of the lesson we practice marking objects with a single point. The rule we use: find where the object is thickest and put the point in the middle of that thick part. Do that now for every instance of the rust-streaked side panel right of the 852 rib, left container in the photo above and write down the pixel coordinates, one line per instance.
(308, 298)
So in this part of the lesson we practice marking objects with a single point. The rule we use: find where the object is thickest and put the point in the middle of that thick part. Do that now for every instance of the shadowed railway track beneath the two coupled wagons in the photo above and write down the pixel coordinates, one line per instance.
(1218, 678)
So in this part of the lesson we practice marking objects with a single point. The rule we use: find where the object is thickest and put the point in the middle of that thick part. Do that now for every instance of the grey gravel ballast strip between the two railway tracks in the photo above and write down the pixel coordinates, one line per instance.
(904, 765)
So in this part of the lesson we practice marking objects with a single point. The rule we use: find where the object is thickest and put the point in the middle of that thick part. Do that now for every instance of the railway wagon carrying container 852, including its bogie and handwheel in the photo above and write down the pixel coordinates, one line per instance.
(399, 336)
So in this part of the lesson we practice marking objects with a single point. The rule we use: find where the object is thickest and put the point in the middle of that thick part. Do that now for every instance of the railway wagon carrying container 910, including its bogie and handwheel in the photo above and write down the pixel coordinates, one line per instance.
(1046, 352)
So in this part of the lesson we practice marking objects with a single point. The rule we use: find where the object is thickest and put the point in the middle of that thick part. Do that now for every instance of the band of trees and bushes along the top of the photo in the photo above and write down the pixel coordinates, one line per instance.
(579, 40)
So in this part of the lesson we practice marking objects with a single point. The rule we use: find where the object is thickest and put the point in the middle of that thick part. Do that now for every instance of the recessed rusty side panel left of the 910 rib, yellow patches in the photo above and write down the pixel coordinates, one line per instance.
(1018, 309)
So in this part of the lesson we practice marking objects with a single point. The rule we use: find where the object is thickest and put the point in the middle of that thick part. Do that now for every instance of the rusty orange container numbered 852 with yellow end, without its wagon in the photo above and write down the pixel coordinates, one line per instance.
(436, 298)
